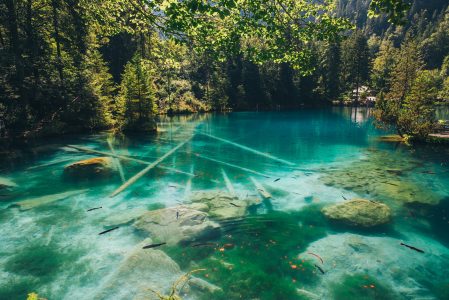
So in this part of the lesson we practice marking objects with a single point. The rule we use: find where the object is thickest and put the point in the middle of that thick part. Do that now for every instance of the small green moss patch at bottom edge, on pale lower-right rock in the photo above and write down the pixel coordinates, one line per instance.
(361, 287)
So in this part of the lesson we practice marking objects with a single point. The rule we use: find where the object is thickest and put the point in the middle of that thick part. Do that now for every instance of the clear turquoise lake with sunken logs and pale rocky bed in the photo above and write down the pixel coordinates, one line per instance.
(239, 203)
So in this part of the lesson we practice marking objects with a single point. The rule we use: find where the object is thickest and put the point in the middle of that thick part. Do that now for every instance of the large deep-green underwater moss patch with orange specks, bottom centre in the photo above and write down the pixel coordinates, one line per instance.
(257, 256)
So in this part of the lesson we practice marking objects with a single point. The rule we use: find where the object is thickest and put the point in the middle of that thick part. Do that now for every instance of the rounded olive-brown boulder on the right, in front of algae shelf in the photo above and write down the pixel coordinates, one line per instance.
(359, 212)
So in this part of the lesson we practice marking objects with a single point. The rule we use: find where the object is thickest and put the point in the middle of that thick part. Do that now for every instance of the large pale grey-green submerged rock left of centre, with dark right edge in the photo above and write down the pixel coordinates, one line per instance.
(175, 224)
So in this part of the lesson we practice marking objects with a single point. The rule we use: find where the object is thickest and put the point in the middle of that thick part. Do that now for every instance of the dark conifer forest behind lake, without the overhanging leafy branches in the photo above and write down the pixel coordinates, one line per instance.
(63, 70)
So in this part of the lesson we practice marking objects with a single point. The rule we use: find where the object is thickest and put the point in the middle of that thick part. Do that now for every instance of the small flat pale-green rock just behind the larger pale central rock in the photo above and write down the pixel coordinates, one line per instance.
(222, 204)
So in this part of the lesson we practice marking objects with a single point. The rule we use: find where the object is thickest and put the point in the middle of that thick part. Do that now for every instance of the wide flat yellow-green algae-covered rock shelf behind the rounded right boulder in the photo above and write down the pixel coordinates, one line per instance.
(382, 175)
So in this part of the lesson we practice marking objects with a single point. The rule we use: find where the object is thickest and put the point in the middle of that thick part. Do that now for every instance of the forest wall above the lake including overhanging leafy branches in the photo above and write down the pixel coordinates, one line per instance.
(73, 65)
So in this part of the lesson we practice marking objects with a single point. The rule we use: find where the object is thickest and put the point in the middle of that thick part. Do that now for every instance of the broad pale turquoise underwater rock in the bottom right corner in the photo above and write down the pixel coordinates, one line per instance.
(409, 274)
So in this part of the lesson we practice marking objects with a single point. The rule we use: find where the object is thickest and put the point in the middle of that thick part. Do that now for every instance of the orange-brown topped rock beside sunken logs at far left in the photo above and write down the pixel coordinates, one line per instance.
(90, 168)
